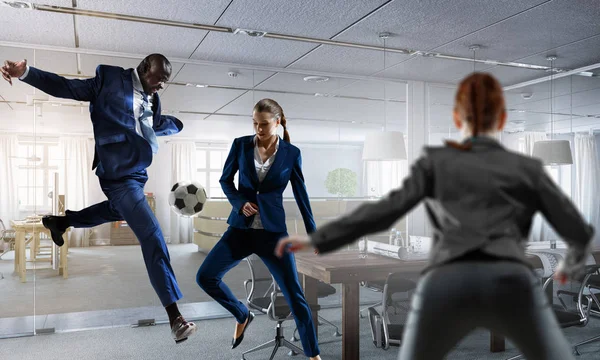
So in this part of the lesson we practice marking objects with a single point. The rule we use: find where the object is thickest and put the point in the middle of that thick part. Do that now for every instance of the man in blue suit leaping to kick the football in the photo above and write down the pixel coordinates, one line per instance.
(125, 113)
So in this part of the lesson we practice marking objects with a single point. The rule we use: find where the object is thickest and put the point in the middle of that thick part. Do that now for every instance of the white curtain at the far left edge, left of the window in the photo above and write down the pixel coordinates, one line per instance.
(9, 203)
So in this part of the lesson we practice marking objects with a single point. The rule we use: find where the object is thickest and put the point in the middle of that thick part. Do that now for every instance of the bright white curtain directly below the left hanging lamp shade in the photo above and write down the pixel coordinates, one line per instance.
(380, 177)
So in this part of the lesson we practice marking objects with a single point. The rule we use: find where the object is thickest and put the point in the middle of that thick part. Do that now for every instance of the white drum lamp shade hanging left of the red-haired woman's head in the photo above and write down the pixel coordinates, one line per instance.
(384, 146)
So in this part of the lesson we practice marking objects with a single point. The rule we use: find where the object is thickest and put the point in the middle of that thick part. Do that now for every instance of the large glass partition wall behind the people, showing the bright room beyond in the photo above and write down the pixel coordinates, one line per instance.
(341, 125)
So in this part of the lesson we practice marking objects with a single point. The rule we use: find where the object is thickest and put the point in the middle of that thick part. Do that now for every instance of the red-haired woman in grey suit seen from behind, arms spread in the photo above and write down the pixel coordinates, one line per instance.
(480, 199)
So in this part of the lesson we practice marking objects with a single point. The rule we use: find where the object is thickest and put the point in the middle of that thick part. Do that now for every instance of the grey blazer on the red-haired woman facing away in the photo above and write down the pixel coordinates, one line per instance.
(483, 199)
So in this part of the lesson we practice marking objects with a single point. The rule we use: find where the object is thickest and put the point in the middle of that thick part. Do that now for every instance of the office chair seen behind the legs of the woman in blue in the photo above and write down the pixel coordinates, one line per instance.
(265, 296)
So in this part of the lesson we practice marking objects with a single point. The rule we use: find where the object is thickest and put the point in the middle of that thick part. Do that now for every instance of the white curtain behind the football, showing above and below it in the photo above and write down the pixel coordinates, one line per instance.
(183, 168)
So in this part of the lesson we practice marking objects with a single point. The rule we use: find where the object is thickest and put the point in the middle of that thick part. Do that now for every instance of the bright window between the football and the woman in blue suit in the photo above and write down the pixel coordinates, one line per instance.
(209, 165)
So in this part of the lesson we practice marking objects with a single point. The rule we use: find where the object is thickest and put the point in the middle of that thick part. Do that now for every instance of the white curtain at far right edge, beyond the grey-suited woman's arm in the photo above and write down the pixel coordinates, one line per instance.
(587, 166)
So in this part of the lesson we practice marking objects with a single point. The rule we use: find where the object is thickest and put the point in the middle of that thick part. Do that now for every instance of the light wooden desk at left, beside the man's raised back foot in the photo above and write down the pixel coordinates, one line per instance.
(23, 228)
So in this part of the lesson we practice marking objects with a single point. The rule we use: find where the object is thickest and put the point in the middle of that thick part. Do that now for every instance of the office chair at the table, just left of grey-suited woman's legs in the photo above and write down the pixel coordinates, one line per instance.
(387, 328)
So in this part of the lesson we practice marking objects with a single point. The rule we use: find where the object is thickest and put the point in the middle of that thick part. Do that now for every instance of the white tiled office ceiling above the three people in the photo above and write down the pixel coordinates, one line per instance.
(508, 30)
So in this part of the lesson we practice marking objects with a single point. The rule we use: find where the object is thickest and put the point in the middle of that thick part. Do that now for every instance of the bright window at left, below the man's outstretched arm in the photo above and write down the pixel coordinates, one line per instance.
(35, 175)
